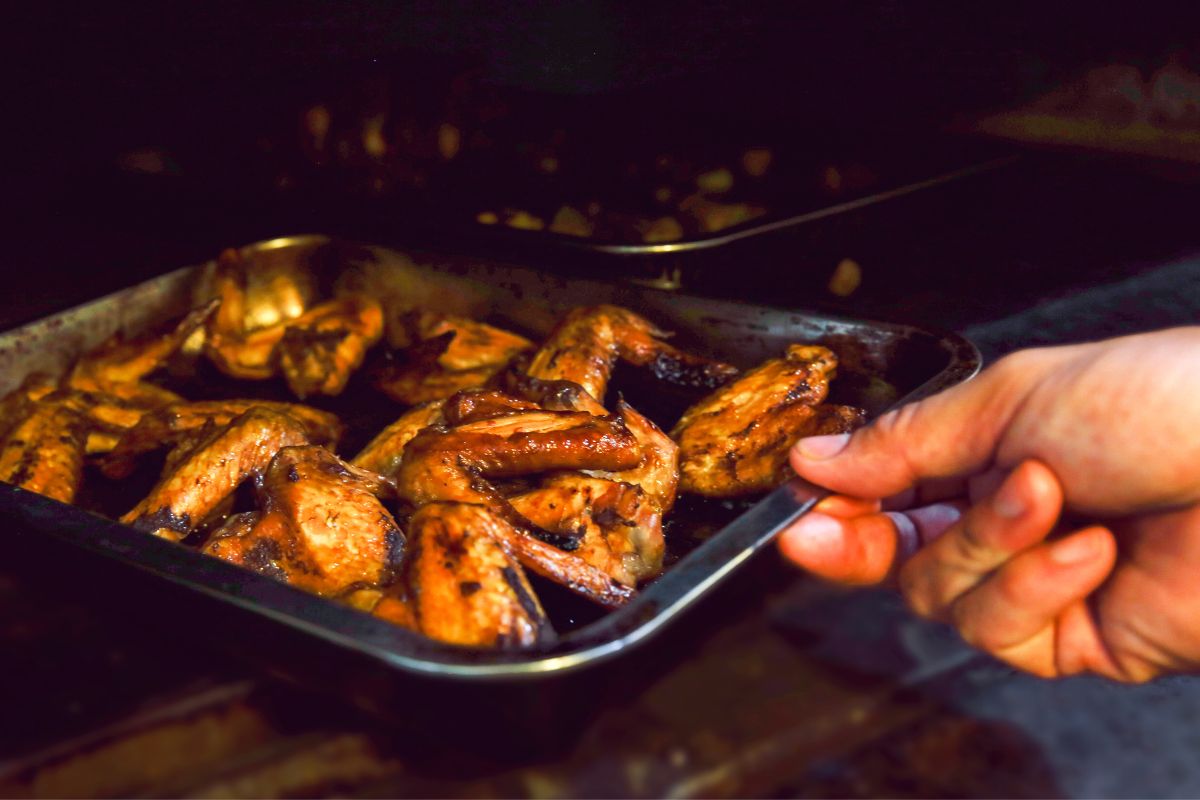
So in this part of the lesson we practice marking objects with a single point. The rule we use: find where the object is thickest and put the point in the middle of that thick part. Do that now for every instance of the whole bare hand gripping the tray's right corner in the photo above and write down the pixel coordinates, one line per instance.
(1048, 509)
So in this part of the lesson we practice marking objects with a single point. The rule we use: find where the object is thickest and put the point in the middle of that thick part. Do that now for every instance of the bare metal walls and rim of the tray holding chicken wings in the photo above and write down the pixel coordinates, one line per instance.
(883, 364)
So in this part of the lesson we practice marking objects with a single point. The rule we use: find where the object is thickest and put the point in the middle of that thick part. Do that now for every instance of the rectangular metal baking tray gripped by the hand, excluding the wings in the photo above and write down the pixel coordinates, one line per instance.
(339, 648)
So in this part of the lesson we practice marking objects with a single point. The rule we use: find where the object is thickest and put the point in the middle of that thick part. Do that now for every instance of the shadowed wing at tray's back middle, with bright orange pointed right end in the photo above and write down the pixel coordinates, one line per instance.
(446, 354)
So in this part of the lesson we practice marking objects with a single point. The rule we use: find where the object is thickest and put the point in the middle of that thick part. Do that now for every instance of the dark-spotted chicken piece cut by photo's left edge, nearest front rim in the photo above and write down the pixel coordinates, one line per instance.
(45, 452)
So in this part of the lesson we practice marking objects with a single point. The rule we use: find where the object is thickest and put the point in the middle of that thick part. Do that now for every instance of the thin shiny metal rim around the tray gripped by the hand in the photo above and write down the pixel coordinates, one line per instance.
(351, 629)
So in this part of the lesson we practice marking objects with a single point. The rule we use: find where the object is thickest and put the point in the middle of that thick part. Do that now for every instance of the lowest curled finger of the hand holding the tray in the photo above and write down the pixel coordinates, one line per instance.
(1033, 613)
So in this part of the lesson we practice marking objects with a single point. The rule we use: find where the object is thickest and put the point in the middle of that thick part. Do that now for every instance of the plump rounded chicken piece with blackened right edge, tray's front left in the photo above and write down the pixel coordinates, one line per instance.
(323, 527)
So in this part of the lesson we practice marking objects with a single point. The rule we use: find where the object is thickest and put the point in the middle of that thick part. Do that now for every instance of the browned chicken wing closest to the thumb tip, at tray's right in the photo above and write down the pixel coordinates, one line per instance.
(736, 441)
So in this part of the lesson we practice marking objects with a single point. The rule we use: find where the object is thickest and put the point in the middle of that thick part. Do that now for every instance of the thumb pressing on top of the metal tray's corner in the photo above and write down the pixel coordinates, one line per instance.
(953, 434)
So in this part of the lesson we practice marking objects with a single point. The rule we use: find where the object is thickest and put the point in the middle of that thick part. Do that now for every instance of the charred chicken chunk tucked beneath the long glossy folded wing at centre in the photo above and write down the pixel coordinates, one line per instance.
(621, 527)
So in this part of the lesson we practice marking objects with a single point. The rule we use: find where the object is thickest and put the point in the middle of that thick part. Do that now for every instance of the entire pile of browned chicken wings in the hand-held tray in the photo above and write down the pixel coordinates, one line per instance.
(507, 456)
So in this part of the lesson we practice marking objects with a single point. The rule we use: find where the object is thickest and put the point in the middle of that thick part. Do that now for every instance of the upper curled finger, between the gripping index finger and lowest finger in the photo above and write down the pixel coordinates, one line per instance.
(1018, 516)
